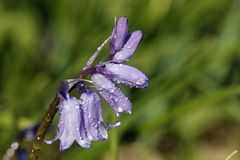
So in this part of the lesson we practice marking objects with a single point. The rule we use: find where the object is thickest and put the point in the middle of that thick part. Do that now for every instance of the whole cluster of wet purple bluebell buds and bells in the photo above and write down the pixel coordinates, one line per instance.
(81, 119)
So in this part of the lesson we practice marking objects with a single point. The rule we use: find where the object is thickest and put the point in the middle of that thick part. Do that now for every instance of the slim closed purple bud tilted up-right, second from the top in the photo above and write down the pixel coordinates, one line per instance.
(129, 47)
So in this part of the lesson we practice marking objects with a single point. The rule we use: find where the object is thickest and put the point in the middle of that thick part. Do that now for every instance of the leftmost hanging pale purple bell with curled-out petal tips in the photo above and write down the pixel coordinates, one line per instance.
(71, 125)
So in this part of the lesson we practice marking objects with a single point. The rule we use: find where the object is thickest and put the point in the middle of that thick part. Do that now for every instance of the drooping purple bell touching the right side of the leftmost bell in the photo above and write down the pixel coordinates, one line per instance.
(92, 109)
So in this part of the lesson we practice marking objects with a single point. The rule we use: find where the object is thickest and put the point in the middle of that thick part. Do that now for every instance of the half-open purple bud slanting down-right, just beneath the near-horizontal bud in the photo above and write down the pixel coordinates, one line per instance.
(112, 94)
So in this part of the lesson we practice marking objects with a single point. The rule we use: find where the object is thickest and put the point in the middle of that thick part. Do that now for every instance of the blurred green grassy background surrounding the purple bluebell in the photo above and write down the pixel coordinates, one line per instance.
(190, 52)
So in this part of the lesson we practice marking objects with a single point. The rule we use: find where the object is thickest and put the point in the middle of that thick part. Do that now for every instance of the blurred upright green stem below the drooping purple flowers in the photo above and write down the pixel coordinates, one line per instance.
(114, 142)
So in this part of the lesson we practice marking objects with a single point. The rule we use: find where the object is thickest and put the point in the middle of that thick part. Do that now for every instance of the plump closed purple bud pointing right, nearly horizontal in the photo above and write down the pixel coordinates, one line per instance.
(124, 74)
